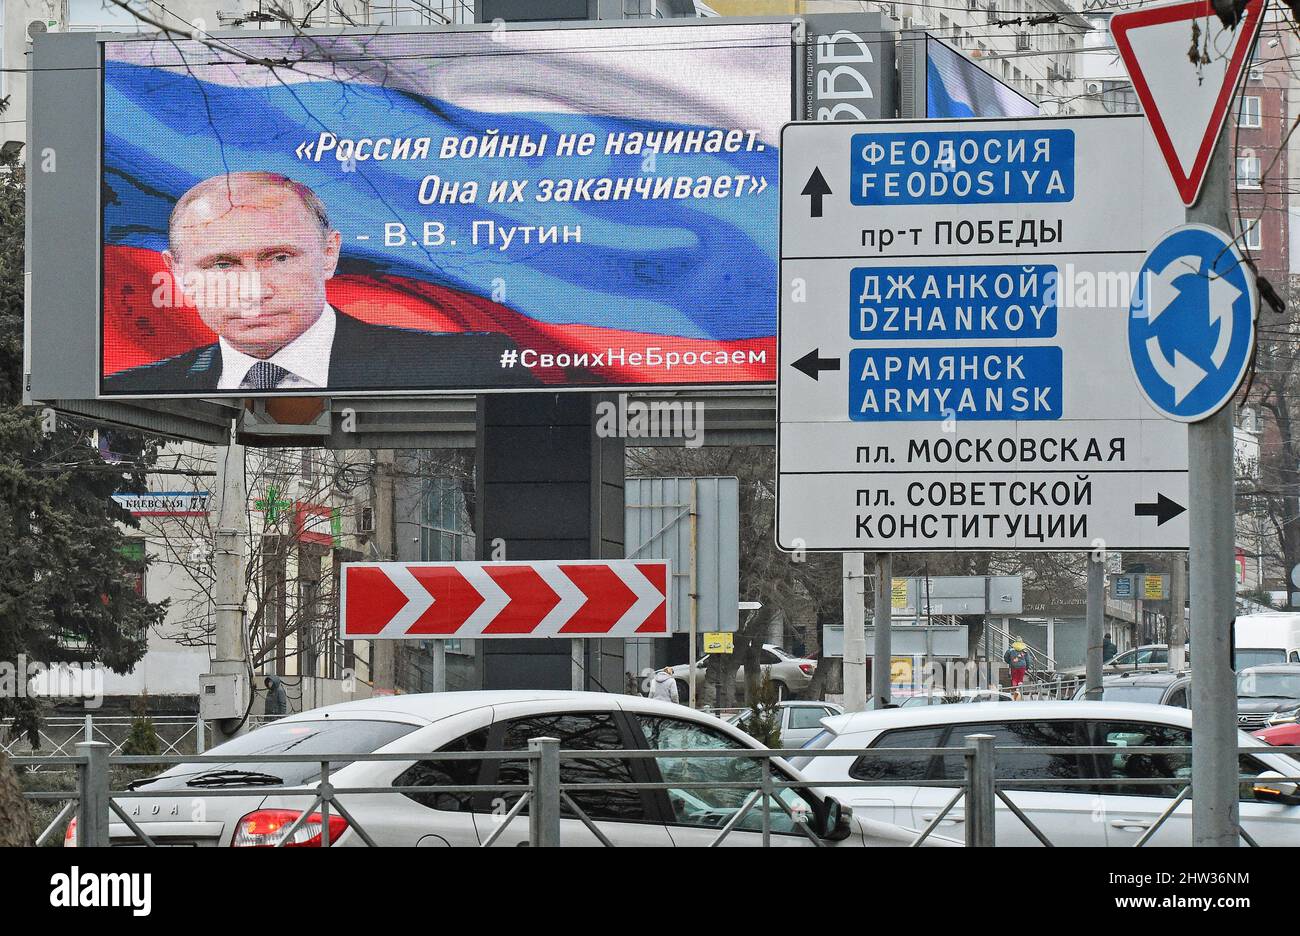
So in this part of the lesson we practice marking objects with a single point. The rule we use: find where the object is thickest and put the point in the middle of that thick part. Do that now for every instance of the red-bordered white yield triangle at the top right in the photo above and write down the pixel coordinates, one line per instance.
(1186, 105)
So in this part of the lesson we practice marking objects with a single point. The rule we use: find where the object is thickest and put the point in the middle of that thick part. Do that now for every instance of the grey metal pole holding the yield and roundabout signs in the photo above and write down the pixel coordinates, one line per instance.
(1210, 443)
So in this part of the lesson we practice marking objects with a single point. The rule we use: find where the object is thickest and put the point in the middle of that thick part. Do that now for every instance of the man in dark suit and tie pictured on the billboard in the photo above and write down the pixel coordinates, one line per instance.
(252, 253)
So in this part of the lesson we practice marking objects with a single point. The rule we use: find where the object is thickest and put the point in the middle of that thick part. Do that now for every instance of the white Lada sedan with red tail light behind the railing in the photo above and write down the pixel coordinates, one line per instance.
(274, 795)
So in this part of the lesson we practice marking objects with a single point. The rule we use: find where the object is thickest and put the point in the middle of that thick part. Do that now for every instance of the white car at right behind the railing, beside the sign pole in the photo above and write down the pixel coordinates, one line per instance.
(1113, 816)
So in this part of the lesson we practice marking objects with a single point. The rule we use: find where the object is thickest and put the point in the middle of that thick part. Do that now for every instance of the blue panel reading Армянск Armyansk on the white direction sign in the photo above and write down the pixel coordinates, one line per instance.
(889, 385)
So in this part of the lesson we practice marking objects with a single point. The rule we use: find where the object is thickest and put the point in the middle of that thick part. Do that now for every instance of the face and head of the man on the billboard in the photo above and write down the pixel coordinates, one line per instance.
(254, 263)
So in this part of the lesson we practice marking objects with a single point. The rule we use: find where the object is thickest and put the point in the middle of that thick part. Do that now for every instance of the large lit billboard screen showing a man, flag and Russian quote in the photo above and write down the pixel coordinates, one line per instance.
(473, 210)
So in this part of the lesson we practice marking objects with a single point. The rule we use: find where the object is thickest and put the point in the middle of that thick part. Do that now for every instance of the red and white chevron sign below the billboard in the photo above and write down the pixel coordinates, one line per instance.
(465, 600)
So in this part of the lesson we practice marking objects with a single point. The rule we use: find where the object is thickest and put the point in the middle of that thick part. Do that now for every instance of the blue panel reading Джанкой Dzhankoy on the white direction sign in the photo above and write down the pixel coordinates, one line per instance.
(993, 301)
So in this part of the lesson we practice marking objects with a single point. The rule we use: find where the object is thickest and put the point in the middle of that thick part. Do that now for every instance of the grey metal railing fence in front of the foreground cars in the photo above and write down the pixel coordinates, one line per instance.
(548, 798)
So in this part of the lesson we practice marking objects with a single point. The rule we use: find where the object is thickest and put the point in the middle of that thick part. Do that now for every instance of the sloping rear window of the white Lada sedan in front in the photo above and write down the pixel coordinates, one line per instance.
(324, 736)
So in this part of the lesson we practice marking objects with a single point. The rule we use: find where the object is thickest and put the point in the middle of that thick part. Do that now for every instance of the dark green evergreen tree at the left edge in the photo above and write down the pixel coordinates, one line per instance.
(67, 591)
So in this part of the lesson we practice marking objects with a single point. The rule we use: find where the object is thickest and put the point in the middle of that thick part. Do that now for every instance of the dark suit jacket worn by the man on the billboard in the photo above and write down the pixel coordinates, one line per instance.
(362, 358)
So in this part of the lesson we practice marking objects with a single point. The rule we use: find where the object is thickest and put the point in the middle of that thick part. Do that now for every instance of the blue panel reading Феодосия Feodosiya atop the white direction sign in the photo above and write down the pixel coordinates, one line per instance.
(963, 167)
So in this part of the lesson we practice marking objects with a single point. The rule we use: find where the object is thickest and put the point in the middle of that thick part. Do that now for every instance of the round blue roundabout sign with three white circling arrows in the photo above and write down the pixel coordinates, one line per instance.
(1191, 324)
